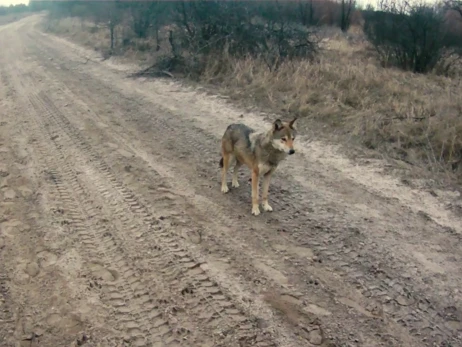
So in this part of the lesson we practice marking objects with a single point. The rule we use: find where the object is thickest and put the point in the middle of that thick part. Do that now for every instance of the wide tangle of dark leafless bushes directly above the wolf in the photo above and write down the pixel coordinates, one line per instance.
(237, 29)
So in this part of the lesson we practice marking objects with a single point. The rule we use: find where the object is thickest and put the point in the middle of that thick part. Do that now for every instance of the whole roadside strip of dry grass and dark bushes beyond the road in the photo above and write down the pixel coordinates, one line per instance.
(388, 77)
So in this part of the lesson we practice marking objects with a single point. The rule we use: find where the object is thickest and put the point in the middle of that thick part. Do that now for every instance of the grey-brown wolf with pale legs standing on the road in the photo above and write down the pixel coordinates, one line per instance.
(260, 151)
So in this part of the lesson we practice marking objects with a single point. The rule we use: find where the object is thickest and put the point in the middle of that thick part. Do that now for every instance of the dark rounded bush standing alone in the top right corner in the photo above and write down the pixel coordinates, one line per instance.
(412, 37)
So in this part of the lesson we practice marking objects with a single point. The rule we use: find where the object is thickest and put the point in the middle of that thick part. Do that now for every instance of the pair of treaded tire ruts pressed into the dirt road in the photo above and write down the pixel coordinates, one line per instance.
(207, 301)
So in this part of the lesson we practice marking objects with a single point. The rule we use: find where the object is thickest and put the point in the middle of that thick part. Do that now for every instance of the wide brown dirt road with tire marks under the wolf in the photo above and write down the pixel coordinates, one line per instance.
(114, 232)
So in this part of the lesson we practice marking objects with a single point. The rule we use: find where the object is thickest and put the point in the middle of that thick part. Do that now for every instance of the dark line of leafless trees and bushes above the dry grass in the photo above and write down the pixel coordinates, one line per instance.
(419, 37)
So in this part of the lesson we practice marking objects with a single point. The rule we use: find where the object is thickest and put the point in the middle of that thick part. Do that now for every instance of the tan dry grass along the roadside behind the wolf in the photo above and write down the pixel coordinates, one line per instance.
(415, 118)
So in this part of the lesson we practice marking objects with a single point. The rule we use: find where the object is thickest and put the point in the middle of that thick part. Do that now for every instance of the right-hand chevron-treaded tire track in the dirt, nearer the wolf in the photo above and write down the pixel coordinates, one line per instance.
(190, 278)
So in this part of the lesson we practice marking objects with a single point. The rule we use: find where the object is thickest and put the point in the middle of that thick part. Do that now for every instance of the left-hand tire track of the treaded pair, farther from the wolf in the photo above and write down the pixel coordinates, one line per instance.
(94, 239)
